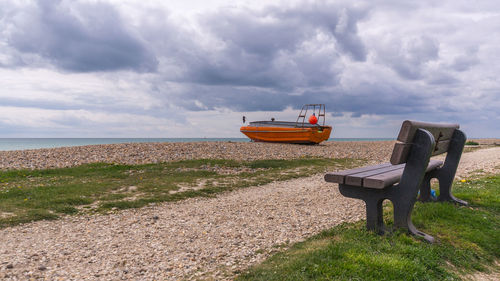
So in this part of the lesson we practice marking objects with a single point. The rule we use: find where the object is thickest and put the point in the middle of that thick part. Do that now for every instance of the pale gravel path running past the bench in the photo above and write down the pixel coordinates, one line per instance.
(198, 238)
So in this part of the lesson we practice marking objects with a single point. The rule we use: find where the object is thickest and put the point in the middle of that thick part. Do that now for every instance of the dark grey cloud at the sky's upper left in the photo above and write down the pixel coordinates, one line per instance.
(79, 37)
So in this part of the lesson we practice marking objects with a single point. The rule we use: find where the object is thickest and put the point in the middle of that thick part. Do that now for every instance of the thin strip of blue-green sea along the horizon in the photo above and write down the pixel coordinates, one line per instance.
(7, 144)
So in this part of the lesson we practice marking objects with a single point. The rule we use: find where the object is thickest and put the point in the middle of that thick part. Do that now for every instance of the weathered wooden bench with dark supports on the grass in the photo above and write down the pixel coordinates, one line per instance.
(410, 170)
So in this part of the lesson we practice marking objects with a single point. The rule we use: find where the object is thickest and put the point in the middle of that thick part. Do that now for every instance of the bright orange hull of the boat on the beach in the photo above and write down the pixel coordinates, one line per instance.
(310, 135)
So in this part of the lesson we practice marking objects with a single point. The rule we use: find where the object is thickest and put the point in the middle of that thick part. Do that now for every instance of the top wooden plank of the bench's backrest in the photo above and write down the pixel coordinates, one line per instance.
(438, 130)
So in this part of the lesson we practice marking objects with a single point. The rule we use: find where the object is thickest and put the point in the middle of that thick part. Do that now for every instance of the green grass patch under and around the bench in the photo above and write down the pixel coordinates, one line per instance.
(469, 240)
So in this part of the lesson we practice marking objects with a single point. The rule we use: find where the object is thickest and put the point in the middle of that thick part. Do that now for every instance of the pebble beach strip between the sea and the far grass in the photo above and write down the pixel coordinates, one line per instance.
(142, 153)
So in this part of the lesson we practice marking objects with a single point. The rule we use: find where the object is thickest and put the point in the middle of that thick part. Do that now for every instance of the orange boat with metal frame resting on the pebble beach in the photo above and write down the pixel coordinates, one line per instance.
(291, 132)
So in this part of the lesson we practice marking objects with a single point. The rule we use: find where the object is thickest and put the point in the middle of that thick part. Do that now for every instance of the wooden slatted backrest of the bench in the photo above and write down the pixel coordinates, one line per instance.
(442, 135)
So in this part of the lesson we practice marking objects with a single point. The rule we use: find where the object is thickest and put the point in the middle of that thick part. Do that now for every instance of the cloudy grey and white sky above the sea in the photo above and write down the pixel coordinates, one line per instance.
(193, 68)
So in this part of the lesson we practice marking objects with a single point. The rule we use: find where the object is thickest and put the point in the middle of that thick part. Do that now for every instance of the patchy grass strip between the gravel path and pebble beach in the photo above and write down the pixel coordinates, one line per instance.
(29, 195)
